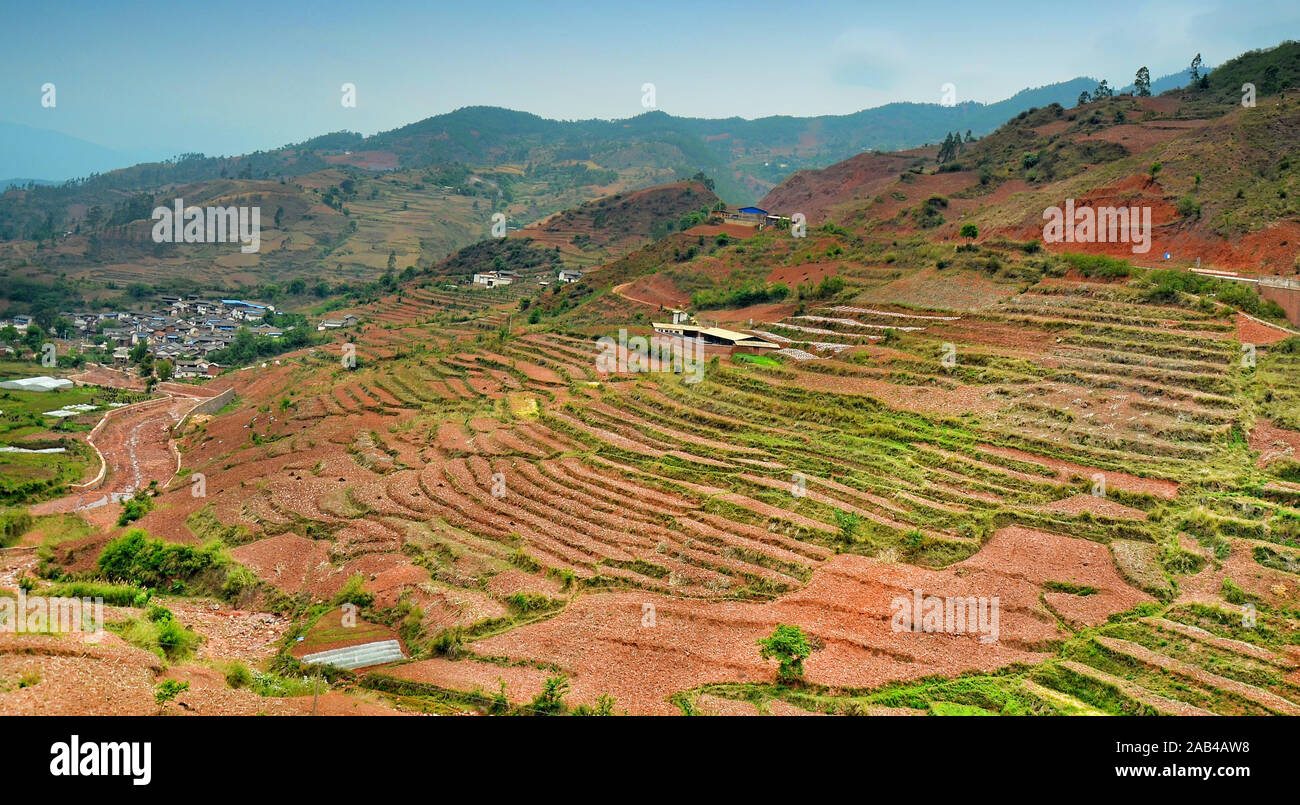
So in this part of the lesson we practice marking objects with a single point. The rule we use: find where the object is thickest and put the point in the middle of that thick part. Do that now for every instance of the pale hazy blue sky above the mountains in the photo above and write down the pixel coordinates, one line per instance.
(233, 77)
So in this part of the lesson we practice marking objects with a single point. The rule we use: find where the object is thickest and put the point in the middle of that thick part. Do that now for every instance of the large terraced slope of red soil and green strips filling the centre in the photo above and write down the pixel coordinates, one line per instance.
(521, 514)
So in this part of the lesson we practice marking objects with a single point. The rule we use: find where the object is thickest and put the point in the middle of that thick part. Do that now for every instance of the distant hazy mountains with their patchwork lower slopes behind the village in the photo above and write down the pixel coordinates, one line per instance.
(345, 210)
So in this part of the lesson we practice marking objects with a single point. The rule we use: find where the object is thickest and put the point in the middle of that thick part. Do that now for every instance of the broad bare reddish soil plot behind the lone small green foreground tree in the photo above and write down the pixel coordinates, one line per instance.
(606, 648)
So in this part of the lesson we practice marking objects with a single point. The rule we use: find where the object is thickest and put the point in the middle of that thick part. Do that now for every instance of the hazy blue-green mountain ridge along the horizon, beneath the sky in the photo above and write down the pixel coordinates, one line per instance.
(493, 136)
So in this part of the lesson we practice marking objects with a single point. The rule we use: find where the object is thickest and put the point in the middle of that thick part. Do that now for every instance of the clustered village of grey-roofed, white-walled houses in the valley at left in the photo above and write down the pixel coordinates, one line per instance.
(185, 331)
